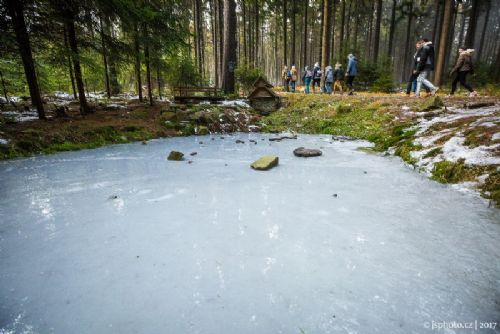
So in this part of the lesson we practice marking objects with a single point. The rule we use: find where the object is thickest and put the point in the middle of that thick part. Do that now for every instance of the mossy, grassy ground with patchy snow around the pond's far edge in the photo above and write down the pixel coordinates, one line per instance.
(453, 140)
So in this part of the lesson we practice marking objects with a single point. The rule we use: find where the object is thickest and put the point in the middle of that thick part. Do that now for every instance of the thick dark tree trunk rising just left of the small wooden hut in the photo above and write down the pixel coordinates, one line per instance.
(230, 46)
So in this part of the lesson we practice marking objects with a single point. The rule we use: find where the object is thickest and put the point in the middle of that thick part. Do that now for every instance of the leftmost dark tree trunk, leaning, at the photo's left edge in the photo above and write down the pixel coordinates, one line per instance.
(16, 12)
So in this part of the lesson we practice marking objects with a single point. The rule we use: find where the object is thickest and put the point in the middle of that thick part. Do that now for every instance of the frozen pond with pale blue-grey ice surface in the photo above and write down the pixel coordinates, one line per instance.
(120, 240)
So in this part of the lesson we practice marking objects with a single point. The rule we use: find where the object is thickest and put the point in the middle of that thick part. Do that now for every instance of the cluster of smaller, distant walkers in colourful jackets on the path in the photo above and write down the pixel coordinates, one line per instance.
(333, 78)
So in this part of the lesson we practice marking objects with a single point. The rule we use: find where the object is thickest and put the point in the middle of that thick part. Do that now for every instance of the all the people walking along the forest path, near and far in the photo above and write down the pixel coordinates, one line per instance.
(422, 66)
